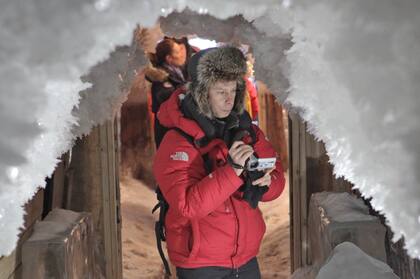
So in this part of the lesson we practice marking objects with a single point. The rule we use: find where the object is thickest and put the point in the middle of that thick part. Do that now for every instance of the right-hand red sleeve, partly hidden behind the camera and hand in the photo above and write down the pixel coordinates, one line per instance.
(263, 149)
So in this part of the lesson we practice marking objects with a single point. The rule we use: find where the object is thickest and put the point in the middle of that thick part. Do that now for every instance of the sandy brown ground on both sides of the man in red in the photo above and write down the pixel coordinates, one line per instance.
(141, 259)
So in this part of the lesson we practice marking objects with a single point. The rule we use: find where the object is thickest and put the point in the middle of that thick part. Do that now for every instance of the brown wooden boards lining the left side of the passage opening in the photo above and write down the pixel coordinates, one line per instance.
(95, 189)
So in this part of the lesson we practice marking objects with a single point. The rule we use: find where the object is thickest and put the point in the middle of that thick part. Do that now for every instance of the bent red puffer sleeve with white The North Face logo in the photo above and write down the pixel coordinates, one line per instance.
(180, 173)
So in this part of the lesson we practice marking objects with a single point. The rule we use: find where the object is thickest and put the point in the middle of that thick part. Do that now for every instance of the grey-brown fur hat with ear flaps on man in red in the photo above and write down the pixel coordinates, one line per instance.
(214, 64)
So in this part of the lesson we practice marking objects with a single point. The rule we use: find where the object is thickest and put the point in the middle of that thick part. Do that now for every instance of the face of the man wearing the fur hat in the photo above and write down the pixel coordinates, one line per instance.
(222, 97)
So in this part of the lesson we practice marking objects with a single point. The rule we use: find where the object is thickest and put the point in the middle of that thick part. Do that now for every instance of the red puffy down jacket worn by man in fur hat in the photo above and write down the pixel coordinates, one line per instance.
(207, 223)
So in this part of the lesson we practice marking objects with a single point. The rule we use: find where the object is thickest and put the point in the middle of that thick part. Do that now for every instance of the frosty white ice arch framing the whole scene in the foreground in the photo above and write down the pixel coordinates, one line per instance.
(353, 71)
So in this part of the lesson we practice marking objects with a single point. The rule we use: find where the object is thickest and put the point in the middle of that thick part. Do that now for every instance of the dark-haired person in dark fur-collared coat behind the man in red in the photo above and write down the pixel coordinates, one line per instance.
(167, 72)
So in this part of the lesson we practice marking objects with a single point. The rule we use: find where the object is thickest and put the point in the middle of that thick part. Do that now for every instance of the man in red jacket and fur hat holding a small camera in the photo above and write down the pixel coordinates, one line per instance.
(213, 226)
